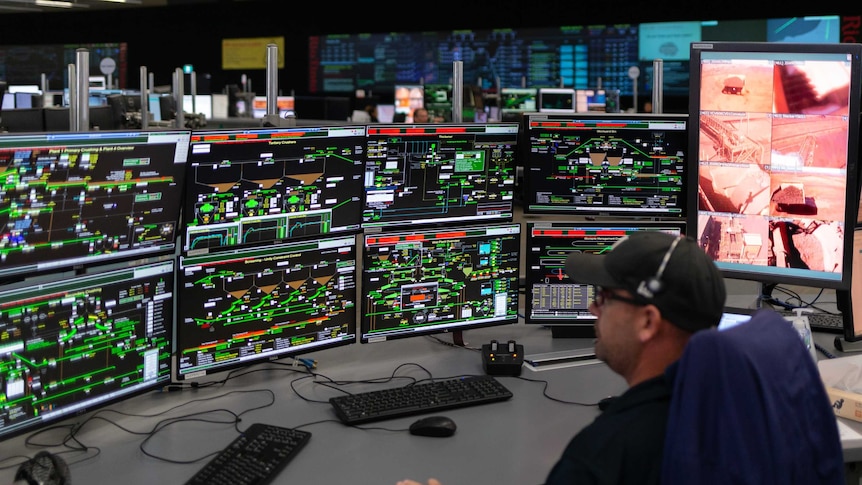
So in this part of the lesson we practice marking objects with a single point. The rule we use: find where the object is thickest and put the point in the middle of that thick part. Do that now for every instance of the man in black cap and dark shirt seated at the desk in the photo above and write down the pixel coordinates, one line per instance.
(652, 292)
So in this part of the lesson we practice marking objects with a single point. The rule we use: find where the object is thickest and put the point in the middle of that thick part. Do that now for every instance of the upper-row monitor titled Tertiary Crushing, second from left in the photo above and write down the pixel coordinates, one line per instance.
(253, 186)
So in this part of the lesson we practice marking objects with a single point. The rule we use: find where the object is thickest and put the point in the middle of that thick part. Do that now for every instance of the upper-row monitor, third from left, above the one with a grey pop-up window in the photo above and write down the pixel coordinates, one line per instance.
(439, 173)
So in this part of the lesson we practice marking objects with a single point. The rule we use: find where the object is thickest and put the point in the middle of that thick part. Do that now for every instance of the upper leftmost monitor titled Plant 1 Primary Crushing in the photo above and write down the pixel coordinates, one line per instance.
(75, 199)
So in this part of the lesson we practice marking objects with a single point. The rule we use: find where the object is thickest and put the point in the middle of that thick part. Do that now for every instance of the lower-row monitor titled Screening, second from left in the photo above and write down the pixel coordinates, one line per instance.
(241, 307)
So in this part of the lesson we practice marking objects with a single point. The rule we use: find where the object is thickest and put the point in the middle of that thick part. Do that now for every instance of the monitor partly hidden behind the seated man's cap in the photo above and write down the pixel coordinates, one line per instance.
(554, 301)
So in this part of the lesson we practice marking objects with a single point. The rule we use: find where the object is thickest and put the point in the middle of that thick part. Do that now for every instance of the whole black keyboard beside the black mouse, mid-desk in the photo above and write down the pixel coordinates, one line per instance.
(418, 399)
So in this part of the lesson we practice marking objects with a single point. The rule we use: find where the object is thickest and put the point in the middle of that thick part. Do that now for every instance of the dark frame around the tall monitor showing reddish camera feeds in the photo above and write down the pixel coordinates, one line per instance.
(770, 275)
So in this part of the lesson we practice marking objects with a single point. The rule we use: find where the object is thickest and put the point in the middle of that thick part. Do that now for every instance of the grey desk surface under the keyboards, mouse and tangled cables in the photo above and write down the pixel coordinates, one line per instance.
(513, 442)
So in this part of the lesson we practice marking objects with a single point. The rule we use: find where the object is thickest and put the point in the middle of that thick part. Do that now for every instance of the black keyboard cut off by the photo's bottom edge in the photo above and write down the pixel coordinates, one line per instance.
(254, 457)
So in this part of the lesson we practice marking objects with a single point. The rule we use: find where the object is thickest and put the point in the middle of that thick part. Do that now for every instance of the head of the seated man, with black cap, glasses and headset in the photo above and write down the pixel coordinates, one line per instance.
(652, 291)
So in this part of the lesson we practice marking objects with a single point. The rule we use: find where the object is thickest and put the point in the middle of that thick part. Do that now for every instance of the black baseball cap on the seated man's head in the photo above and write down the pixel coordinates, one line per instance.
(671, 272)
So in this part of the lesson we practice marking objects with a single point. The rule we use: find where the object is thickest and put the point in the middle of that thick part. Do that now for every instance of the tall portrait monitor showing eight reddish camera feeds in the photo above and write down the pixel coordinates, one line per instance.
(774, 127)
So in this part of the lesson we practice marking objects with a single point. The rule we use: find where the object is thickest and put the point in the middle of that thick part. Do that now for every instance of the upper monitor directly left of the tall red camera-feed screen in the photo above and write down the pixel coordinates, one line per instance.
(614, 164)
